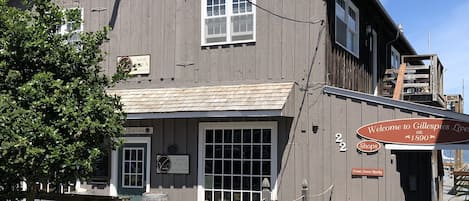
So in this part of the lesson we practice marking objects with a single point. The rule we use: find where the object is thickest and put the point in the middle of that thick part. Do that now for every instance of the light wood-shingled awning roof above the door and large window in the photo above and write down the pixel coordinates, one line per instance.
(208, 101)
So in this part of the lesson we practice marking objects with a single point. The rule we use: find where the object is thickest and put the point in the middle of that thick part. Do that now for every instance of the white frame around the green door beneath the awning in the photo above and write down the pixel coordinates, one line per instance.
(115, 163)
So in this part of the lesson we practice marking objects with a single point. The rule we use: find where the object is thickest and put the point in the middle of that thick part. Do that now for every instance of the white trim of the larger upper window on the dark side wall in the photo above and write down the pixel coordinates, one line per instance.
(349, 3)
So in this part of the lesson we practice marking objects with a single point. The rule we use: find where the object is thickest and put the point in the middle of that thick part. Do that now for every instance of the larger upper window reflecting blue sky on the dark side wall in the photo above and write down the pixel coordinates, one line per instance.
(347, 26)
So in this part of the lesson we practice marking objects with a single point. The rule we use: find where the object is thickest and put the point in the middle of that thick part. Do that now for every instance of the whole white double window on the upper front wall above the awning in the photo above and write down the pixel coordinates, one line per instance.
(227, 21)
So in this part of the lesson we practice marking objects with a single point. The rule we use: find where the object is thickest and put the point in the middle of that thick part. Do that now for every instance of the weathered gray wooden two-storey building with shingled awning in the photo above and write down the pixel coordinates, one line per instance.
(231, 93)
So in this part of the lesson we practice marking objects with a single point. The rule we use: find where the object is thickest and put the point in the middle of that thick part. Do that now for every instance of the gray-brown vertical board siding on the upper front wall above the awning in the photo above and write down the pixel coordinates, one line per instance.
(169, 31)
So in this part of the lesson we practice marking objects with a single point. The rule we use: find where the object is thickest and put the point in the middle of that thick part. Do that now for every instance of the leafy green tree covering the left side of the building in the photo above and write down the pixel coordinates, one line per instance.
(55, 115)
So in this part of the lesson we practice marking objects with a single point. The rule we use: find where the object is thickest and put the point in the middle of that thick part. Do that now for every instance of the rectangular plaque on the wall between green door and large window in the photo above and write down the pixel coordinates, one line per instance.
(172, 164)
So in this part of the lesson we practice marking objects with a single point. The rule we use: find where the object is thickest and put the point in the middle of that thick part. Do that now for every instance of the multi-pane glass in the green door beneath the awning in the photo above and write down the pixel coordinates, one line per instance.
(132, 167)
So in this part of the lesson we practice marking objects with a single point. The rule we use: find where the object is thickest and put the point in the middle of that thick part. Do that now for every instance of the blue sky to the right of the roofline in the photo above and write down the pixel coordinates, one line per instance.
(448, 25)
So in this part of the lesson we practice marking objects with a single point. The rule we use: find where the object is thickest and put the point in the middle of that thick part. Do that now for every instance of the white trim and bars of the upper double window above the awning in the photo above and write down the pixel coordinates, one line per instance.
(228, 14)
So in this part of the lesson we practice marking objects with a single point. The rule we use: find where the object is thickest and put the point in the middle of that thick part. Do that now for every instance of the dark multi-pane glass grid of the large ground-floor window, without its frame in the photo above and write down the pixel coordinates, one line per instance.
(236, 161)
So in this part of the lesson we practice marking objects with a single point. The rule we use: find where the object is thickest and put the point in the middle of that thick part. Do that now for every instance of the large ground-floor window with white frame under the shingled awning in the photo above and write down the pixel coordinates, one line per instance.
(234, 159)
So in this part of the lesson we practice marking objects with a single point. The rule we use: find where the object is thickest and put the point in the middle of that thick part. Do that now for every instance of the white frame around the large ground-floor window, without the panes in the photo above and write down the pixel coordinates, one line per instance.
(237, 125)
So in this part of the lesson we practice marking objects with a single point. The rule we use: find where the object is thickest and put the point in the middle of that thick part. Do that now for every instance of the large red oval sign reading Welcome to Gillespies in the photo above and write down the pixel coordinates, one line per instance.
(417, 131)
